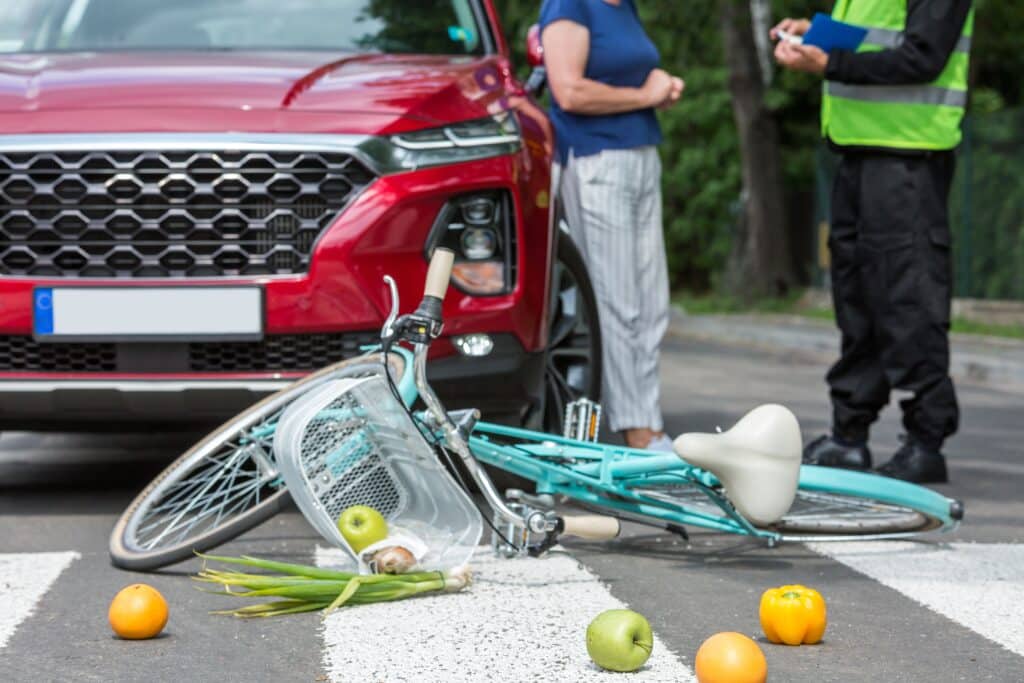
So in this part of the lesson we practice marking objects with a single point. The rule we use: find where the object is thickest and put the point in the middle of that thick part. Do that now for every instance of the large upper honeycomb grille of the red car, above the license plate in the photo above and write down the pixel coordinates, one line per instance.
(169, 215)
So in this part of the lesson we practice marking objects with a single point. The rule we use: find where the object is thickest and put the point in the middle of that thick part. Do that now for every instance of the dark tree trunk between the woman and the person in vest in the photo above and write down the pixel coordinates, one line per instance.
(762, 263)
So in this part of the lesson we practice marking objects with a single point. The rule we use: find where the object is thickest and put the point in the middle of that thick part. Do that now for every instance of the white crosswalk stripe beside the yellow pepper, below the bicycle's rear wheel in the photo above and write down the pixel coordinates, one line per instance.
(980, 586)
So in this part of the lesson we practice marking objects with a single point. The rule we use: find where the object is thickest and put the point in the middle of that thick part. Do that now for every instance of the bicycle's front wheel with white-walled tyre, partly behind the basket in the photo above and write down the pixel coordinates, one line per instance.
(223, 487)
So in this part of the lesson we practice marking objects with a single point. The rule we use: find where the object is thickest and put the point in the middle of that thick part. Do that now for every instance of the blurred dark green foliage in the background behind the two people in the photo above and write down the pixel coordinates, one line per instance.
(702, 182)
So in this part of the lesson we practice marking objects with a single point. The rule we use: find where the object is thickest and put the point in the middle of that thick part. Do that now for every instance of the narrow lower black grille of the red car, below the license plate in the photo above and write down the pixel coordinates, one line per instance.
(275, 354)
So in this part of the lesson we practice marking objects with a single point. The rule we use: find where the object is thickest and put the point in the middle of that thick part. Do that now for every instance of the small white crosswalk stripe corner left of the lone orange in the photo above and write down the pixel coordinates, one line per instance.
(25, 578)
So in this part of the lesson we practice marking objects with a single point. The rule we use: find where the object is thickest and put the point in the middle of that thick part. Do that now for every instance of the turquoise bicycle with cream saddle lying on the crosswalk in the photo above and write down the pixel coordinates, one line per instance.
(348, 435)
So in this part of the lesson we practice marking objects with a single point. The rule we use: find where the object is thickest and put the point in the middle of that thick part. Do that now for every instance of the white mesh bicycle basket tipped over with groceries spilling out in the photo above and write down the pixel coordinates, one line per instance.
(351, 443)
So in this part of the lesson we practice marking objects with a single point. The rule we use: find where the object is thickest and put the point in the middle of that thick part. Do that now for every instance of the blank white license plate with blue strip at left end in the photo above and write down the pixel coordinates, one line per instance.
(131, 314)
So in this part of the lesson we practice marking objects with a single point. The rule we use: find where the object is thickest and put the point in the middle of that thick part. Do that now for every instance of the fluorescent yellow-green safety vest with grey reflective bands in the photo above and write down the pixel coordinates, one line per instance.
(905, 117)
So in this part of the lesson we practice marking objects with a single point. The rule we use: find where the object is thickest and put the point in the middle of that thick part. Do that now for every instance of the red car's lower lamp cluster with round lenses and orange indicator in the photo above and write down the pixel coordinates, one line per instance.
(480, 229)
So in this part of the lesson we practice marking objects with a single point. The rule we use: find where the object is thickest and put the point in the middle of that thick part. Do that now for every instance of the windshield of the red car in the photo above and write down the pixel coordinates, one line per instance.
(431, 27)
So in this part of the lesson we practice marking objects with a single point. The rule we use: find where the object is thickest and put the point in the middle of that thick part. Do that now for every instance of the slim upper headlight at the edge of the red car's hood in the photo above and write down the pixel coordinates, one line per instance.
(470, 141)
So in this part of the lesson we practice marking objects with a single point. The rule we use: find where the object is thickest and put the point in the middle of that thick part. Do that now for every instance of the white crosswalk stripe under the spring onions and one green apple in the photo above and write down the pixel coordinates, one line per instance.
(522, 621)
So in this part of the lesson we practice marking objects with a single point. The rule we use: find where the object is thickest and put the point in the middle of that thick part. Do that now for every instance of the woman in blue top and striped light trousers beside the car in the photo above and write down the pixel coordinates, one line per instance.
(607, 84)
